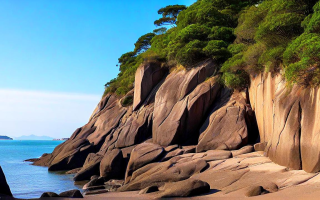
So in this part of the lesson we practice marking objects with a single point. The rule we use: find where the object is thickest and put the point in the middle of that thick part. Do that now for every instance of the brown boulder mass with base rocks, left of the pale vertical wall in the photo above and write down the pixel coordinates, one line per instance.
(153, 142)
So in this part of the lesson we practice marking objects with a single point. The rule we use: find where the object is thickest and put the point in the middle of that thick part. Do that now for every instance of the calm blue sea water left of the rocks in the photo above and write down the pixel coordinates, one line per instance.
(28, 181)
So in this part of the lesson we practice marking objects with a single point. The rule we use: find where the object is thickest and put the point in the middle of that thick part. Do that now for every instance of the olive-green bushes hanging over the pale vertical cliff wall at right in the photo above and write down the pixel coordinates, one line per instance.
(276, 34)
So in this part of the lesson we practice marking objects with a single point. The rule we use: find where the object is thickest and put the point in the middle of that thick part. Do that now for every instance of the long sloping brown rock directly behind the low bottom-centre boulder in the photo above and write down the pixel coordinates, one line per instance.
(157, 174)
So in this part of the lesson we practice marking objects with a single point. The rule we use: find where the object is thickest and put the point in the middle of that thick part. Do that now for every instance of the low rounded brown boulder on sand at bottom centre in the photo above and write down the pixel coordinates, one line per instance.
(185, 188)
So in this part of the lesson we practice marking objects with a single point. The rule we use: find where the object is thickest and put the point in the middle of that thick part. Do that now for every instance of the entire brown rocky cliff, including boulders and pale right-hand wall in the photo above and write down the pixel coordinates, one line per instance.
(183, 121)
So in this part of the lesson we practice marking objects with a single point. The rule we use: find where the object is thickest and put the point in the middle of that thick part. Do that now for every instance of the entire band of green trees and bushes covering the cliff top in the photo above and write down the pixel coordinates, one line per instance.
(244, 37)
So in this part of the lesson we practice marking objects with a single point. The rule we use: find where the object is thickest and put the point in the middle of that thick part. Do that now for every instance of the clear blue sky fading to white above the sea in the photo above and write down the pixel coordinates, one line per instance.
(56, 56)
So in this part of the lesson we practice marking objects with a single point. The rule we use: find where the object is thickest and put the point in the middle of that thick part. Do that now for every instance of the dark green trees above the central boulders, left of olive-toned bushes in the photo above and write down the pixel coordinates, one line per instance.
(203, 30)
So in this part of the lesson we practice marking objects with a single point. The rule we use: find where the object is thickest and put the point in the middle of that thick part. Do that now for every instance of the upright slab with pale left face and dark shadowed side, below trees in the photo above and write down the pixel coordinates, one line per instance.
(147, 76)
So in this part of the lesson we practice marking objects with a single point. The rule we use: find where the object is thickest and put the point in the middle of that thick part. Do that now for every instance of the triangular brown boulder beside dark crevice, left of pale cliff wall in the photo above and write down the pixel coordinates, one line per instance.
(226, 127)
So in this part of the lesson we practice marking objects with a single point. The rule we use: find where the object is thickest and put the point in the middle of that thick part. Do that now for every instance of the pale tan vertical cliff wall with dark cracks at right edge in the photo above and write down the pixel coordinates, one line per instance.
(287, 121)
